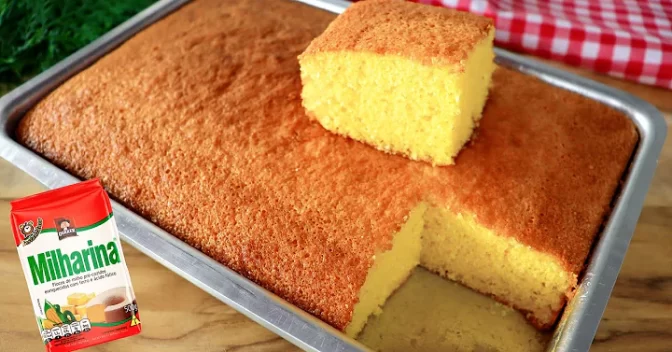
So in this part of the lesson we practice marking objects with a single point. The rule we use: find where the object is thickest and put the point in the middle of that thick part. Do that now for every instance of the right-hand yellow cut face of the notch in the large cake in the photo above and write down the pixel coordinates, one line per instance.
(456, 246)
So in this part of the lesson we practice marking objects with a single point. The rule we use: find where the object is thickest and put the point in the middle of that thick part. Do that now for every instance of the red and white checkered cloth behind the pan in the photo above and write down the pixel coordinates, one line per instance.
(629, 39)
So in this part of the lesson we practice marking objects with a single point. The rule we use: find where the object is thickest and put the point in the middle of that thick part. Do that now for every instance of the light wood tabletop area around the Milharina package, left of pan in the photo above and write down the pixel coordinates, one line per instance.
(175, 315)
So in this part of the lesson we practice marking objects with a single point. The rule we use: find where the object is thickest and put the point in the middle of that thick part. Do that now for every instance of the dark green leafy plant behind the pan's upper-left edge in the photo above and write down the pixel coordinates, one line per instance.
(36, 34)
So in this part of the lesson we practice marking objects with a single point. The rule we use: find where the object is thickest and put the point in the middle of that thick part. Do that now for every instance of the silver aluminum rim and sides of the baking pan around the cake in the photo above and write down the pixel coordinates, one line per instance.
(580, 319)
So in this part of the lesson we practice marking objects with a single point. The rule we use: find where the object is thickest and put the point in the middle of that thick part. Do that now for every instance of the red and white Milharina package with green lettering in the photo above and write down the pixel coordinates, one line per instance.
(69, 248)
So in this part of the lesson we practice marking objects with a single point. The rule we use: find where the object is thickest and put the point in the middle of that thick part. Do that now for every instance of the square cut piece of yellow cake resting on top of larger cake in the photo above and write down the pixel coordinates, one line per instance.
(406, 78)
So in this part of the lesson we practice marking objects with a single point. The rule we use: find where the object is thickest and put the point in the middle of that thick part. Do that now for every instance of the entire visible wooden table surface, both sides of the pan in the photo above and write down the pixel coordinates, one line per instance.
(178, 316)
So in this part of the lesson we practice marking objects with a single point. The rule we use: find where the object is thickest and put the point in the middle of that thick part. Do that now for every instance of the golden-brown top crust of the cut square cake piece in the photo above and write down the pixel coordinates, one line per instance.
(427, 34)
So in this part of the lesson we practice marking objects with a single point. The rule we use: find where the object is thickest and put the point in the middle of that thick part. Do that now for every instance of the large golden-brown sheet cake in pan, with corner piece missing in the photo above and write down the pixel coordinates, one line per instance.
(196, 123)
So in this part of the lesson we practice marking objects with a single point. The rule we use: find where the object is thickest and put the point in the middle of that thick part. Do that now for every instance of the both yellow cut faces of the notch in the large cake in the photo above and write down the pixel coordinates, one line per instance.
(457, 247)
